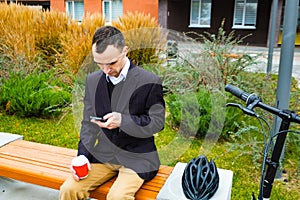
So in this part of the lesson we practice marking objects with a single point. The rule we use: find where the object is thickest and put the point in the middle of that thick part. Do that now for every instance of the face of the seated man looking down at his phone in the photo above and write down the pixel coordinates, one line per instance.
(111, 61)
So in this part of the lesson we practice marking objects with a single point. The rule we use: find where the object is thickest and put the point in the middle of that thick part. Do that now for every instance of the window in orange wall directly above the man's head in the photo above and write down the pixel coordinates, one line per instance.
(112, 9)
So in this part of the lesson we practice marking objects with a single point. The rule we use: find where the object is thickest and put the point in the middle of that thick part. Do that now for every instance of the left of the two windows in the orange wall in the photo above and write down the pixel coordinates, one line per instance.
(75, 9)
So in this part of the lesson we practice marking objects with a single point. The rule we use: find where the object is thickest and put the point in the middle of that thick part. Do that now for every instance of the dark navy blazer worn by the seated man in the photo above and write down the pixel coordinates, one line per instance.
(140, 101)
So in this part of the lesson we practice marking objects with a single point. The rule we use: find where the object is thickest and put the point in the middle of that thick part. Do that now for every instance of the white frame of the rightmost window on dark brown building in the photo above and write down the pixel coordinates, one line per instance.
(243, 26)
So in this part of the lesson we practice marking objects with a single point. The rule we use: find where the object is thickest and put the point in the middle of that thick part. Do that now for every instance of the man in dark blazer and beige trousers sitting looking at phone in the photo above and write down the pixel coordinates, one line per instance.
(130, 101)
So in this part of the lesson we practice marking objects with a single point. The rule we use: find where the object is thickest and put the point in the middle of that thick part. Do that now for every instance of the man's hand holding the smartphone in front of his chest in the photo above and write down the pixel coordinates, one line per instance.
(113, 120)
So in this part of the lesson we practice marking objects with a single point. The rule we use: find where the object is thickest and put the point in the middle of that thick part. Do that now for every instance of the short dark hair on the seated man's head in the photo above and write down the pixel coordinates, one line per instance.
(108, 35)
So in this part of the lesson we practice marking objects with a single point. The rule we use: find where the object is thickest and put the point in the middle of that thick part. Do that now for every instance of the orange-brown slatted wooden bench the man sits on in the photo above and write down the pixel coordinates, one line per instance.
(48, 166)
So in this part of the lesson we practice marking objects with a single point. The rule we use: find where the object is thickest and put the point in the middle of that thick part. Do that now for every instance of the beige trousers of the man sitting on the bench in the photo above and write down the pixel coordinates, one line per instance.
(124, 188)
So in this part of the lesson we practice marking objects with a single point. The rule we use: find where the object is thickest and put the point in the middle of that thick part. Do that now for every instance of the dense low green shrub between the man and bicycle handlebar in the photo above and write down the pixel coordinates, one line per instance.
(196, 114)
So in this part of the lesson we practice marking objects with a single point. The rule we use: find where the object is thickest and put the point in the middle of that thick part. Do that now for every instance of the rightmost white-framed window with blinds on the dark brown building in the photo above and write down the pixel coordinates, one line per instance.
(245, 14)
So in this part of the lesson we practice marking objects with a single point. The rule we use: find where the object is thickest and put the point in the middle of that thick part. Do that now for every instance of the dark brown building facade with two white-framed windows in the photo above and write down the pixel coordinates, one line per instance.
(251, 18)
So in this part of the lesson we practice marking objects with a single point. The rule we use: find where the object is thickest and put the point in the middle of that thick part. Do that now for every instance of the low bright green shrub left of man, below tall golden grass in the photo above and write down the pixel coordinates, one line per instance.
(38, 94)
